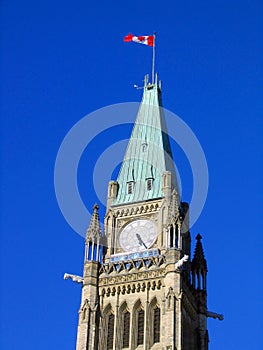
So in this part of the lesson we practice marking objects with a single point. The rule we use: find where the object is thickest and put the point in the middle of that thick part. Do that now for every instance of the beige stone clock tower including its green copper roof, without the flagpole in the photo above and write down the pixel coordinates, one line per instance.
(140, 288)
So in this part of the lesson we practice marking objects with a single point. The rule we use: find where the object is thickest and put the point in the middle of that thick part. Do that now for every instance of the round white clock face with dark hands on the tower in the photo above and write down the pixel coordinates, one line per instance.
(138, 235)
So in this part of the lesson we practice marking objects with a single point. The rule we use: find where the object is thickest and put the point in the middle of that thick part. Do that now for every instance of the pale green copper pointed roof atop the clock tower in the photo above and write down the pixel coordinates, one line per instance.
(148, 153)
